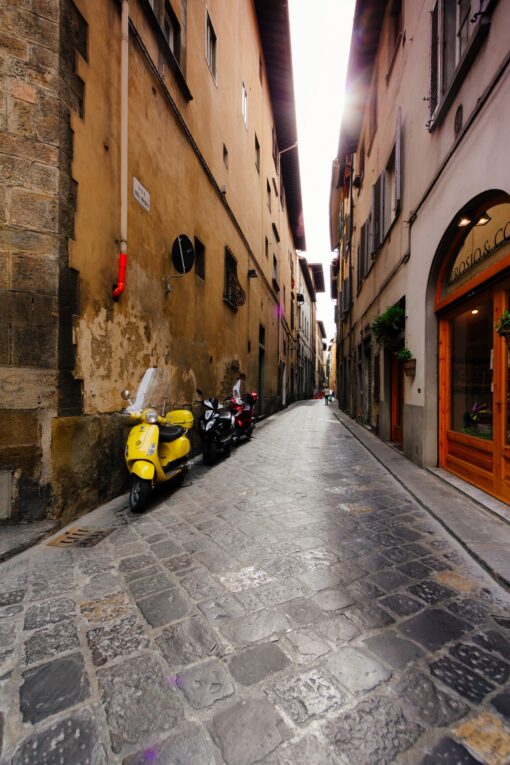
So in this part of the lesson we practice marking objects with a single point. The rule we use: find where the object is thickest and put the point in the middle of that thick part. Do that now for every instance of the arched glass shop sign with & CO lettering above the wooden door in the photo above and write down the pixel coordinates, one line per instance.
(481, 244)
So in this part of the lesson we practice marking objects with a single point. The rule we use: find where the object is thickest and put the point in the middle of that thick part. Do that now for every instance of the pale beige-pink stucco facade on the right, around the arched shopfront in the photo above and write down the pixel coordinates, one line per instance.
(447, 156)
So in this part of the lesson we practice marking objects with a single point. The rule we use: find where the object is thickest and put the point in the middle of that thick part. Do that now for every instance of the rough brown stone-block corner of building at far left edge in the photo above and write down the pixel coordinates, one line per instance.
(39, 88)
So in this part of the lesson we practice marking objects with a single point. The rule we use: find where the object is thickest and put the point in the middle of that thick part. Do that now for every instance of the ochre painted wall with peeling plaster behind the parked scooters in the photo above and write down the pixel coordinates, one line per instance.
(176, 152)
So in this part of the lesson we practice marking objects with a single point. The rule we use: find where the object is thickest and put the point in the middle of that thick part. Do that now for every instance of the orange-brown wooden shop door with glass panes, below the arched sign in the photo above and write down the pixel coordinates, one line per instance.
(474, 416)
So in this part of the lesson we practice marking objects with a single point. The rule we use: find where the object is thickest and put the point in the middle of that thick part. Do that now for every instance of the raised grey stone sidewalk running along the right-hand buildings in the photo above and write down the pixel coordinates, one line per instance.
(472, 519)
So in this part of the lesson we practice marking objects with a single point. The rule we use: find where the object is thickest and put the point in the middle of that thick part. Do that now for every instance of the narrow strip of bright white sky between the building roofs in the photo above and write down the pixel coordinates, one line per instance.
(321, 34)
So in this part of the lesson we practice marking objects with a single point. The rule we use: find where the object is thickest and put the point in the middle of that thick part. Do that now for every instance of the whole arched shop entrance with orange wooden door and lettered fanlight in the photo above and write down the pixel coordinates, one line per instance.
(473, 290)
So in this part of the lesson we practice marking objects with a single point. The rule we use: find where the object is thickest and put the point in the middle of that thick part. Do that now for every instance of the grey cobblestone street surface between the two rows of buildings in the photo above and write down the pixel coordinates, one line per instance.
(292, 605)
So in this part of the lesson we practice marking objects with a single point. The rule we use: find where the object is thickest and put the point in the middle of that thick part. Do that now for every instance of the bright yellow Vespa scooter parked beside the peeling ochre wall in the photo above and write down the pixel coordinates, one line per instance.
(157, 449)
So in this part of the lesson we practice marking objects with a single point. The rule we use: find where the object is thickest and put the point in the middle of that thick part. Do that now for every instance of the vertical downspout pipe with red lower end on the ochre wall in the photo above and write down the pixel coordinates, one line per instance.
(124, 59)
